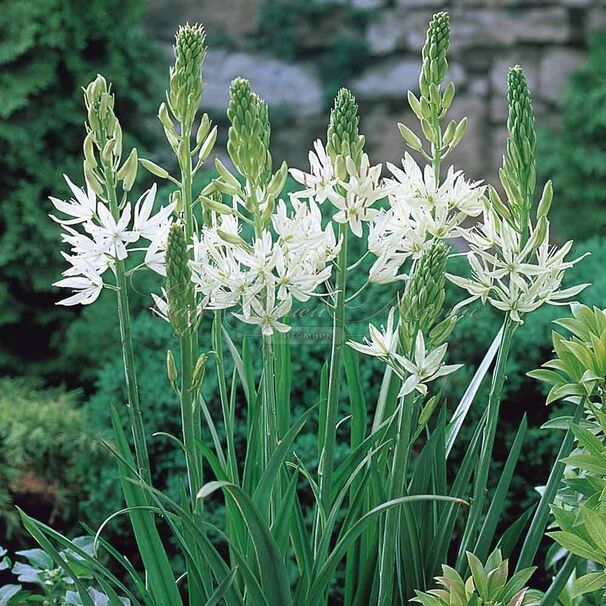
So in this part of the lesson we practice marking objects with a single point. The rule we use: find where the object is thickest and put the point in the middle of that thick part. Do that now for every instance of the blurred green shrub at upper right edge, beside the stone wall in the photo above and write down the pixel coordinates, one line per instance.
(575, 156)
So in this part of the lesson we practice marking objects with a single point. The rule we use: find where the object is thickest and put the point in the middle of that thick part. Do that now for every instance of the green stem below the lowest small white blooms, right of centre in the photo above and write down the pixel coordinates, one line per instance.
(396, 489)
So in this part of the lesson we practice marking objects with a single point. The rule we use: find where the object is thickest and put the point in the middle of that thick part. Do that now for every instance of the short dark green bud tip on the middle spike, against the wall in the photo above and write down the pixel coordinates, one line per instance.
(343, 137)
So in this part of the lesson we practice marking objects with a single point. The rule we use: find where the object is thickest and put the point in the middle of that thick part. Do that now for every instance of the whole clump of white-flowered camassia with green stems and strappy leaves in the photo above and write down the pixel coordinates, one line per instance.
(376, 525)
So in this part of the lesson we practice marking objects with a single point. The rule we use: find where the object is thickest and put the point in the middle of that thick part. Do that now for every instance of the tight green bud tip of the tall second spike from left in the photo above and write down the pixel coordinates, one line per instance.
(185, 92)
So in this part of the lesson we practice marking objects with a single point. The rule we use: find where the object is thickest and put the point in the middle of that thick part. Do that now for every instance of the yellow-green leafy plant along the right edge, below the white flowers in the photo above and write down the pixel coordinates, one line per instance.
(578, 374)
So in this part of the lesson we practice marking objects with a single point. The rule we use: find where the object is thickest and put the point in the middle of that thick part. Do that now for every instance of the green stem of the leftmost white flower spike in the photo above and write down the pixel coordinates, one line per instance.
(128, 354)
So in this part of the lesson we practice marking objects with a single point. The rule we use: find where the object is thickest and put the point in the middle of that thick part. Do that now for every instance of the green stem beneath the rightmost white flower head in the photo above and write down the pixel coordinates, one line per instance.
(488, 436)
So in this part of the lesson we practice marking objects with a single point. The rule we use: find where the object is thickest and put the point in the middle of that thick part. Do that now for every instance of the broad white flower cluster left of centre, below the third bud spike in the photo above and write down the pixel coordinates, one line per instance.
(262, 277)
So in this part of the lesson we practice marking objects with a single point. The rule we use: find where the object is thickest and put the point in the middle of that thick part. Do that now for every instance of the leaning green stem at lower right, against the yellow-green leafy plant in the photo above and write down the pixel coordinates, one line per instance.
(541, 515)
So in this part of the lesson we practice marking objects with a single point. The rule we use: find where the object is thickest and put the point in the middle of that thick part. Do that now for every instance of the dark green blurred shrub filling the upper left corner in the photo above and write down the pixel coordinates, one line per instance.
(48, 50)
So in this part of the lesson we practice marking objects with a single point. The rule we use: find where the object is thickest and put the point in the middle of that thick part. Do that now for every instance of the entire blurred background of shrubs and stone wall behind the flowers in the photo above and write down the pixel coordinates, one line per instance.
(61, 368)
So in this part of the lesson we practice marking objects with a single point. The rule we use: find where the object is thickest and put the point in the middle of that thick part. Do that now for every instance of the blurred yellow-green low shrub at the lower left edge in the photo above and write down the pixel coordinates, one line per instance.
(49, 454)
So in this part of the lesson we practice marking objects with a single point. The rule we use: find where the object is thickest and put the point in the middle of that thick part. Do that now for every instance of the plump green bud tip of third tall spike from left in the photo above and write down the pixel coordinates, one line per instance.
(249, 133)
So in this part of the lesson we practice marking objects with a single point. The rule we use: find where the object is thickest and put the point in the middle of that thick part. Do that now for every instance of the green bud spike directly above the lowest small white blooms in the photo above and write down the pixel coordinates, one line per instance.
(423, 297)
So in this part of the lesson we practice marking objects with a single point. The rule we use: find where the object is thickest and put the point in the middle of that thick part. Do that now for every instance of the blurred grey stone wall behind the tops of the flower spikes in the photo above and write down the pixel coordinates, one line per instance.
(548, 38)
